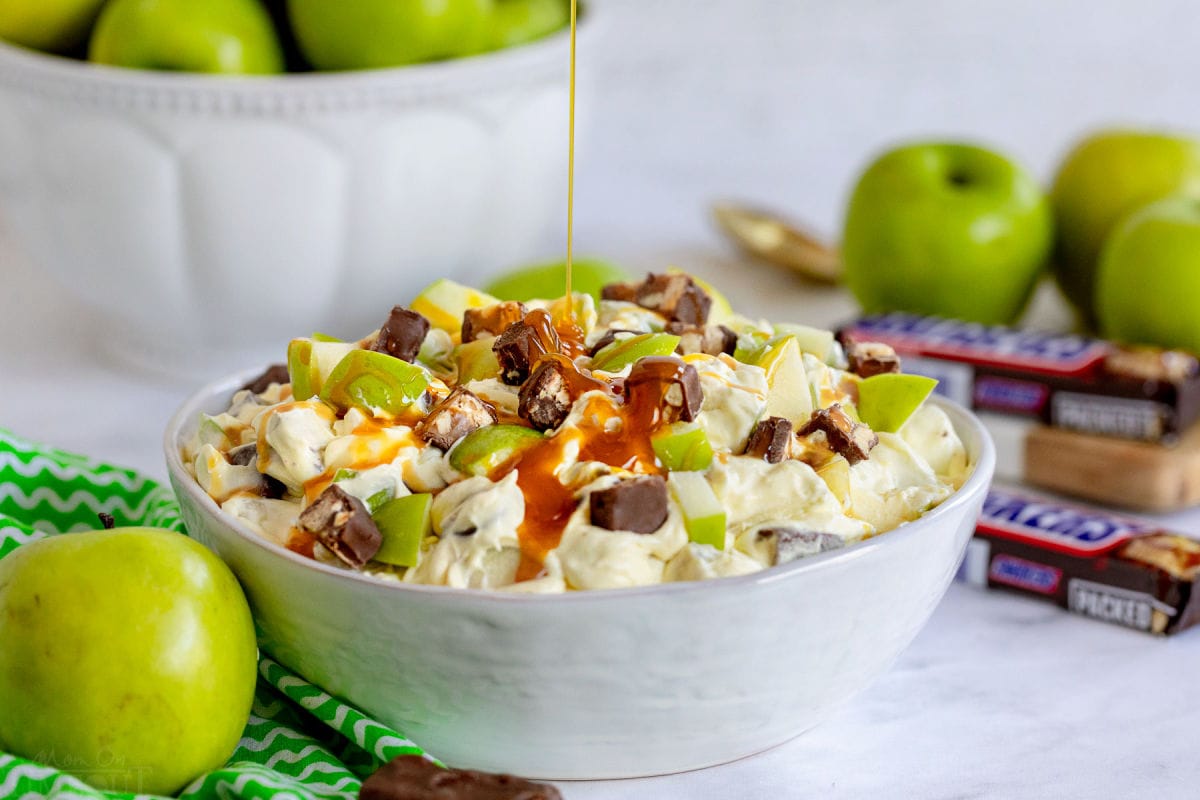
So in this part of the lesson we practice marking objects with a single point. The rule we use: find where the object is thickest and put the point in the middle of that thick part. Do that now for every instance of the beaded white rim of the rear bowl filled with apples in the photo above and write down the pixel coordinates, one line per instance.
(83, 82)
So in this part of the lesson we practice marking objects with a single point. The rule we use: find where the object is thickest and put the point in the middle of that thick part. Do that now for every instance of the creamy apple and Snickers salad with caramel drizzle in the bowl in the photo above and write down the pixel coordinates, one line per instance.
(554, 446)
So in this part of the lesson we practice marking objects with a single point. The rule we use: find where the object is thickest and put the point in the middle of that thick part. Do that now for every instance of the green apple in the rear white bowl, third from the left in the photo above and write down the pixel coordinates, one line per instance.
(371, 34)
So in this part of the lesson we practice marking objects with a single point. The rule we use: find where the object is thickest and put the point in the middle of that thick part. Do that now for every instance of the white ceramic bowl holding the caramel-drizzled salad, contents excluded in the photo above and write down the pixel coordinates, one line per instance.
(599, 684)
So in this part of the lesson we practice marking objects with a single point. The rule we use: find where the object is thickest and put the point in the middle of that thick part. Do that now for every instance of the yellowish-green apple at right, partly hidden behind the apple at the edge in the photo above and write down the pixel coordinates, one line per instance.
(1106, 178)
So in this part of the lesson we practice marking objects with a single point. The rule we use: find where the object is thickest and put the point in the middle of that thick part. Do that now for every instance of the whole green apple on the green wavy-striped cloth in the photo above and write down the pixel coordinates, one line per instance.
(128, 658)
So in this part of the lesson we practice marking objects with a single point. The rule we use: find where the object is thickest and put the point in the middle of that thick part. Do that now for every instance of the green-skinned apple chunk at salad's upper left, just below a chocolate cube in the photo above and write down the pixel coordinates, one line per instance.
(375, 382)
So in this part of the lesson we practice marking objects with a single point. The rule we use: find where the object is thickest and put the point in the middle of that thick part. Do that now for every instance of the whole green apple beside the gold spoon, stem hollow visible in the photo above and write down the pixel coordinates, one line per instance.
(946, 230)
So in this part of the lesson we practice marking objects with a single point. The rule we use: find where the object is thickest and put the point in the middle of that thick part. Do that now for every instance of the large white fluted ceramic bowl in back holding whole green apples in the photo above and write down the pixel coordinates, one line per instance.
(201, 214)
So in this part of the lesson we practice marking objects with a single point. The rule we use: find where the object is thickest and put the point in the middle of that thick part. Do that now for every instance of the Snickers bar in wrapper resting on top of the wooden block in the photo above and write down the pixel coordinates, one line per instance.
(1070, 382)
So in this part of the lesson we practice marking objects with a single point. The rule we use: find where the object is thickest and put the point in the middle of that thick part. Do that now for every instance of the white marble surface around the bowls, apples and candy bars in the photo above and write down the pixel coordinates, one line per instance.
(1000, 697)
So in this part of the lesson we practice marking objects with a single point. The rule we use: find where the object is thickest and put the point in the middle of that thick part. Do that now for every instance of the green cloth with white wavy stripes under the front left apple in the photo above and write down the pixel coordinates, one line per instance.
(299, 743)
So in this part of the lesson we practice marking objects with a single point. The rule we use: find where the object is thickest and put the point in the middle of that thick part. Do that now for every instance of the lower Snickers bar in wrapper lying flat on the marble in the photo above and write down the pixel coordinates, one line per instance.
(1087, 561)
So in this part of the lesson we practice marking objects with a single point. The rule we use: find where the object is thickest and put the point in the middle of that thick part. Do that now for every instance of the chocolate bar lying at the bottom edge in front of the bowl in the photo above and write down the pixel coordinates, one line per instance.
(412, 778)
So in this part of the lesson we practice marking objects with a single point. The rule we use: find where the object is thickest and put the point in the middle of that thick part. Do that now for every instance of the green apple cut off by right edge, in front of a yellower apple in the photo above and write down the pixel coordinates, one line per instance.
(1148, 288)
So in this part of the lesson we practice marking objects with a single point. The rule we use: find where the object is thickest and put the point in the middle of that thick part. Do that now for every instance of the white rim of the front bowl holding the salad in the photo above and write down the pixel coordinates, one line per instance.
(975, 486)
